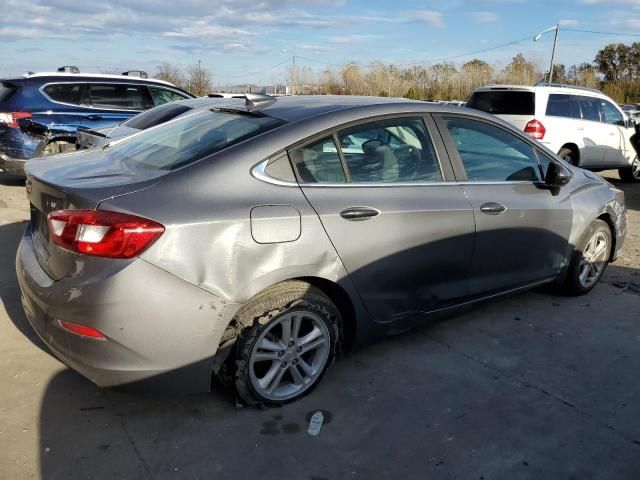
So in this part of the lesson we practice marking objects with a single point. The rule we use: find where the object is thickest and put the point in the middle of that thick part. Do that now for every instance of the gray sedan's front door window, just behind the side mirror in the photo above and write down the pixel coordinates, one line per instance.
(491, 154)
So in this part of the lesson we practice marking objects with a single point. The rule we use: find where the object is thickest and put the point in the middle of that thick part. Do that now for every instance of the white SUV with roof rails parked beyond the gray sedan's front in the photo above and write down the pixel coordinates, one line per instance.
(584, 126)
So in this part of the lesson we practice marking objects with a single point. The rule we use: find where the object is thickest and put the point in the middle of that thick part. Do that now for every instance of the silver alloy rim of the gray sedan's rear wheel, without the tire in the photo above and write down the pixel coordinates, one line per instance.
(289, 355)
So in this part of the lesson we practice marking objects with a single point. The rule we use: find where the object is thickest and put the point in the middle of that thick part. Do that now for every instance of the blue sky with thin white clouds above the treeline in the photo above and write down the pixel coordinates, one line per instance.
(241, 40)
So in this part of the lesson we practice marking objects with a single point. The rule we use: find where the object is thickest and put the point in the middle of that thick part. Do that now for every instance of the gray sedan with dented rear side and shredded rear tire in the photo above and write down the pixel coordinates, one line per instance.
(256, 242)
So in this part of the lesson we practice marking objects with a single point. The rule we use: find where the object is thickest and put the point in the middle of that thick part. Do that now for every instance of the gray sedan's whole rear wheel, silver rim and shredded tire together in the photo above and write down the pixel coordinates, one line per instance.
(287, 340)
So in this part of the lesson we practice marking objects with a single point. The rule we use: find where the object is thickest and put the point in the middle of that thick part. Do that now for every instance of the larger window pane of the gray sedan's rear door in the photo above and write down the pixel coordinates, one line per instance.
(388, 151)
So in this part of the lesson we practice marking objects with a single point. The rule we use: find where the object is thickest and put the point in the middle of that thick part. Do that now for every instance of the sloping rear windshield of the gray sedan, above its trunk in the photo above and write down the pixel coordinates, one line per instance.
(187, 139)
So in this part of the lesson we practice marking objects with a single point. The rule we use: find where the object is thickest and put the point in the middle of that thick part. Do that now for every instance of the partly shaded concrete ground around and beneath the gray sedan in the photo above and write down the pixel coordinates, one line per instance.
(533, 387)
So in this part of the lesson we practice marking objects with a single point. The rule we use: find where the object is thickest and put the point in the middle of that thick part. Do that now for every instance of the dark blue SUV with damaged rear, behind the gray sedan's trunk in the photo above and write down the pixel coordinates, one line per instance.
(41, 113)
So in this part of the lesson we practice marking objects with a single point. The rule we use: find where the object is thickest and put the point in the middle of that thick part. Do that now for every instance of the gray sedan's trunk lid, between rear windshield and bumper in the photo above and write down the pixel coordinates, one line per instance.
(75, 181)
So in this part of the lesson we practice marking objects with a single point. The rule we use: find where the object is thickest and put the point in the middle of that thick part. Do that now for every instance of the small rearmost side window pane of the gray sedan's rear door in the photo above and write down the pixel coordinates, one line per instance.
(319, 162)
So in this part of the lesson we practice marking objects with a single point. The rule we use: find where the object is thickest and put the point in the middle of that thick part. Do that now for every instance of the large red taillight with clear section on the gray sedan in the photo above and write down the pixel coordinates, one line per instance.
(103, 233)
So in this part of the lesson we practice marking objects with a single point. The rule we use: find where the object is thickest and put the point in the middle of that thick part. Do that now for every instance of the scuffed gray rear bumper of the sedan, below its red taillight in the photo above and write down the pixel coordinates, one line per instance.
(160, 331)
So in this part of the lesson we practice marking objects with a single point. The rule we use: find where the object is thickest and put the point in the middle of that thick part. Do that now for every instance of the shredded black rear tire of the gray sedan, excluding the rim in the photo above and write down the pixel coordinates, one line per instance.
(253, 319)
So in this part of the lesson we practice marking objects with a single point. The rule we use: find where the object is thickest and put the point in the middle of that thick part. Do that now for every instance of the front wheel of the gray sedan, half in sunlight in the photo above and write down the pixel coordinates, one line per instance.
(589, 259)
